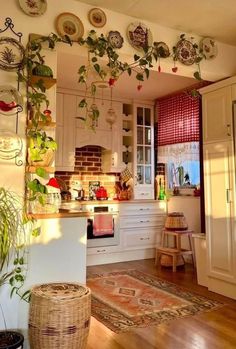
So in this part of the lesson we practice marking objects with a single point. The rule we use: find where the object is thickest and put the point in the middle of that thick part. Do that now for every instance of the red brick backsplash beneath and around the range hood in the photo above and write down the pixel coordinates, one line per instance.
(88, 168)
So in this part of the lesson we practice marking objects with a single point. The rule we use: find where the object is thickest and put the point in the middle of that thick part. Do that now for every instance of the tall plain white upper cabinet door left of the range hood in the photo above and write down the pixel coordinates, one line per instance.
(65, 132)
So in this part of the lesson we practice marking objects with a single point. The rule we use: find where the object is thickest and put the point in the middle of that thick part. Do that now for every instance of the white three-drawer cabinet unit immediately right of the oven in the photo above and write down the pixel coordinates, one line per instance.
(141, 224)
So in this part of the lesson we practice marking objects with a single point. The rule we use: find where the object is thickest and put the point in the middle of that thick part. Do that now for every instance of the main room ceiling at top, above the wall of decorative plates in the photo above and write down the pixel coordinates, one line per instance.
(213, 18)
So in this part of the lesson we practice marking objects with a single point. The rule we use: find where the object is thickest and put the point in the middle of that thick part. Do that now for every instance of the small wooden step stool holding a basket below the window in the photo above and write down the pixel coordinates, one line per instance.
(177, 250)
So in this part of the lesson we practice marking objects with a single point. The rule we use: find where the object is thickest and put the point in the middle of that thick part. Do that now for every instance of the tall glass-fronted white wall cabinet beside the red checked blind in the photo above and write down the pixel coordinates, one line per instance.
(143, 148)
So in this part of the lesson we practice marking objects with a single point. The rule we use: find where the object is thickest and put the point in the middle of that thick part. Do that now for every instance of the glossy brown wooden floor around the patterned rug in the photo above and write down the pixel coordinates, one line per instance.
(211, 330)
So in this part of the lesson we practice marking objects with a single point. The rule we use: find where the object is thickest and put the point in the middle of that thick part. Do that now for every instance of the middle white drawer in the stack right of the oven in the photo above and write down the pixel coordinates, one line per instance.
(142, 221)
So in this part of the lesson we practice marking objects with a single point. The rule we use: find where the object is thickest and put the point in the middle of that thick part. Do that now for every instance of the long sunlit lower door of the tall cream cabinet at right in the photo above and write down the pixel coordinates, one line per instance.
(219, 211)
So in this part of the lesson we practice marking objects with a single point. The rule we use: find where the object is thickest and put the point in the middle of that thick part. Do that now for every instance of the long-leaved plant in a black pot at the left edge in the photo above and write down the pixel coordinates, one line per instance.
(15, 229)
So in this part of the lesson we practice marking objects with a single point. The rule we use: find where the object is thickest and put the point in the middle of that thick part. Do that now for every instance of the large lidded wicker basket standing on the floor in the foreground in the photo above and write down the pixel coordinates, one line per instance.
(59, 316)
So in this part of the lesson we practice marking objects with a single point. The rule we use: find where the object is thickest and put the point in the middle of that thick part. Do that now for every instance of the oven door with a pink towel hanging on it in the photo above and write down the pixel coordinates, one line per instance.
(108, 232)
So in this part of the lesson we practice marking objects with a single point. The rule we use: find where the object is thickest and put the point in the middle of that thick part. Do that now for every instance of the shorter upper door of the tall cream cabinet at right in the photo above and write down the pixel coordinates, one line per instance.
(217, 115)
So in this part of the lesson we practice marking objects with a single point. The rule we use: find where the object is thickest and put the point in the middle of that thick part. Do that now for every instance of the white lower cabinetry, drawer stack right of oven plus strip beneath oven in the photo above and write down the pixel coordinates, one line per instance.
(139, 227)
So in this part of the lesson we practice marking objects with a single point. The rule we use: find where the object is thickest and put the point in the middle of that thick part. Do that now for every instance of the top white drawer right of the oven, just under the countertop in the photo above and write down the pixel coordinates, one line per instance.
(142, 209)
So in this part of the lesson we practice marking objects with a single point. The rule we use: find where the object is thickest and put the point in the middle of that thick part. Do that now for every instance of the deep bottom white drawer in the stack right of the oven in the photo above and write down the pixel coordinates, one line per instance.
(142, 238)
